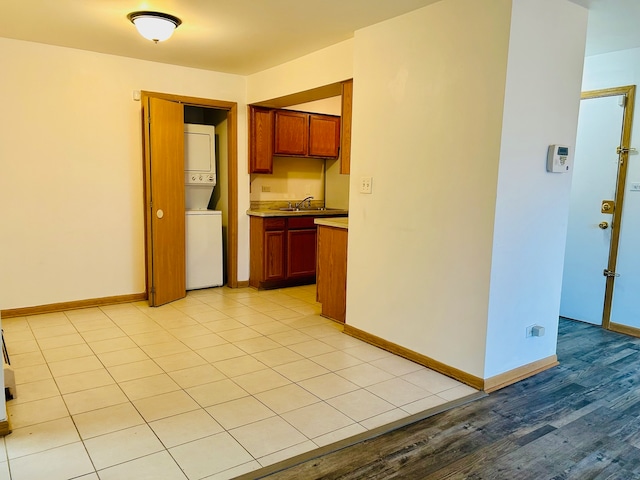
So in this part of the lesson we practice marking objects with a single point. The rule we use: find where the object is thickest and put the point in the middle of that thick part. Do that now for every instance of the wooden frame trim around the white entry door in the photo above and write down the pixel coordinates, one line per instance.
(628, 92)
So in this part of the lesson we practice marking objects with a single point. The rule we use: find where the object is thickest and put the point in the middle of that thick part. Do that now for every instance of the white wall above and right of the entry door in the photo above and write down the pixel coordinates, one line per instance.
(605, 71)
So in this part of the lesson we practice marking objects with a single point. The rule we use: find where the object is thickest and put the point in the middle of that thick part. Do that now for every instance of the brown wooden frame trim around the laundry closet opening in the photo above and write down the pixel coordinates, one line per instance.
(232, 160)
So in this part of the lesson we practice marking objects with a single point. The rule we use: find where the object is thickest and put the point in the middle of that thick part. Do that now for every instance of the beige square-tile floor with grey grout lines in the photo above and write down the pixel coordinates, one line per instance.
(216, 385)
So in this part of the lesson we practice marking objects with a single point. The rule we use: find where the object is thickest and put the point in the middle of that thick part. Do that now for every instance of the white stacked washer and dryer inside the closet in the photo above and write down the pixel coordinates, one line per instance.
(203, 226)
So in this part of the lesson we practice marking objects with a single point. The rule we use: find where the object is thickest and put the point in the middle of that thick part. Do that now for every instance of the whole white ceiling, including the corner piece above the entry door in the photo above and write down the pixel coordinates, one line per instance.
(246, 36)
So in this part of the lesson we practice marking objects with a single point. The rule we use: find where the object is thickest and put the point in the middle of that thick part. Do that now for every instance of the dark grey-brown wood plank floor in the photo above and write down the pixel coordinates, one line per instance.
(579, 420)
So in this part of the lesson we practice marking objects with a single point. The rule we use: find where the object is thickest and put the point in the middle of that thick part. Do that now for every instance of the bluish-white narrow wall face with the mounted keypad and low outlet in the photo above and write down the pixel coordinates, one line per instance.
(541, 108)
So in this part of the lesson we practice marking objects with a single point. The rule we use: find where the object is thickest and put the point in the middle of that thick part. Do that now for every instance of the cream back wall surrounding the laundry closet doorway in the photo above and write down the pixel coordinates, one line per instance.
(71, 169)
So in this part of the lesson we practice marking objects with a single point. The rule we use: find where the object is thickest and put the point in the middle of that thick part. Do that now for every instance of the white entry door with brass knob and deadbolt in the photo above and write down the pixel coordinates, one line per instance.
(592, 236)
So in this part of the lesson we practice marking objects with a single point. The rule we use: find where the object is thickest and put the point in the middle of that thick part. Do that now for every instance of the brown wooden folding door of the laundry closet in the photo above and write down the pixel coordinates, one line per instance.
(165, 219)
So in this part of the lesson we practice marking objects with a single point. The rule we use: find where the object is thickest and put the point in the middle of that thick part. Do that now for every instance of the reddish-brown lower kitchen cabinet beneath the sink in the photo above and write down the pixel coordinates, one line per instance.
(282, 251)
